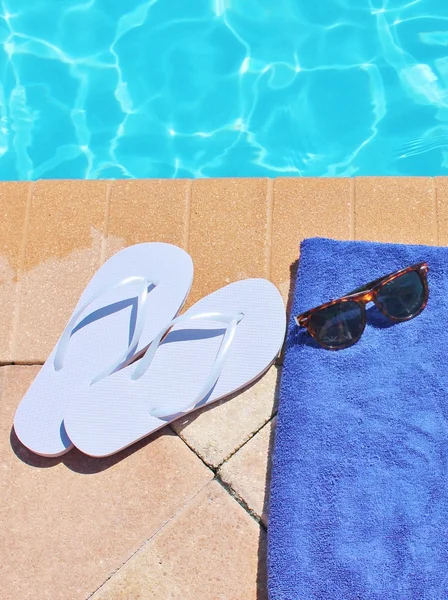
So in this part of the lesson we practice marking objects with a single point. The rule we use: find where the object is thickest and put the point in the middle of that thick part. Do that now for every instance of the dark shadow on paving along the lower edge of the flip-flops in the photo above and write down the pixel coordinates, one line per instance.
(75, 460)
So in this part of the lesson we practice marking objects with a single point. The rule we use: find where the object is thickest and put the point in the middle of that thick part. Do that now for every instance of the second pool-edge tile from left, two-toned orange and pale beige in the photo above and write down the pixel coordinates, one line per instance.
(63, 251)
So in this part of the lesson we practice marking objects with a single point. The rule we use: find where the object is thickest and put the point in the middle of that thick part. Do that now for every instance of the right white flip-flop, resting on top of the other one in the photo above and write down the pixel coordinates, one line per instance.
(221, 344)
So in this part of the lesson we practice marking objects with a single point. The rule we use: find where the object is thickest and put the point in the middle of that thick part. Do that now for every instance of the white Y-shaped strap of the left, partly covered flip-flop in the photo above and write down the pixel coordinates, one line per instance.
(61, 349)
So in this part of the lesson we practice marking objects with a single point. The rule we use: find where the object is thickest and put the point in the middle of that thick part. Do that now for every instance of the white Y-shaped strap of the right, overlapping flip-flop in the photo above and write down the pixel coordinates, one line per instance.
(230, 320)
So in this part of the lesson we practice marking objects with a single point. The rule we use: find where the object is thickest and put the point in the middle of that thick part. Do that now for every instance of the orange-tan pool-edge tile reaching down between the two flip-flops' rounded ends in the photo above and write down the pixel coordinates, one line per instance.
(228, 237)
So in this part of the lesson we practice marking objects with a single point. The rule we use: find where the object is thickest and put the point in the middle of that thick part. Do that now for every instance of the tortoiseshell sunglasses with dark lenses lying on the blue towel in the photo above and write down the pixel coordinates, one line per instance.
(338, 324)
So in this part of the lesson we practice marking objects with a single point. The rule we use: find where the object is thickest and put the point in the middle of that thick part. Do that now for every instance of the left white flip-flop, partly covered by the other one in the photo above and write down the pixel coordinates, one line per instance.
(126, 303)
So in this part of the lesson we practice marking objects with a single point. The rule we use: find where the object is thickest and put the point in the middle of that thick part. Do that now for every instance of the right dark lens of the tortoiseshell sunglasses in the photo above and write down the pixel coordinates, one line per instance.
(403, 297)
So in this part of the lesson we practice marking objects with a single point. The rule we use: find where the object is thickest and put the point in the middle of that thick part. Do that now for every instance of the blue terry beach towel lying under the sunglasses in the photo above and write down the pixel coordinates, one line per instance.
(359, 495)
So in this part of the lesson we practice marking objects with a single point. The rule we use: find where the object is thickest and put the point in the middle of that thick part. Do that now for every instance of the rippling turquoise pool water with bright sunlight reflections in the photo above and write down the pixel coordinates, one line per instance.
(214, 88)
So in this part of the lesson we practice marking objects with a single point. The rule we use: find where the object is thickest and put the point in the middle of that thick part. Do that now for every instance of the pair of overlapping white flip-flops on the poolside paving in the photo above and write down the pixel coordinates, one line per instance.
(126, 365)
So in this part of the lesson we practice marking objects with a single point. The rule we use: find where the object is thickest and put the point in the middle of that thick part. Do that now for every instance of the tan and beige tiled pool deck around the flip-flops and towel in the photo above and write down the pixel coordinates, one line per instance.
(181, 515)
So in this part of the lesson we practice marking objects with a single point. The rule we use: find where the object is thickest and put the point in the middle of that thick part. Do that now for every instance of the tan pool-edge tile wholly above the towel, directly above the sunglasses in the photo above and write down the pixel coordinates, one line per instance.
(395, 209)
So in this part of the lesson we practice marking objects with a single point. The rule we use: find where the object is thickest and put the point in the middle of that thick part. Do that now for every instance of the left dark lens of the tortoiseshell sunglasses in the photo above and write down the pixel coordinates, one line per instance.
(339, 325)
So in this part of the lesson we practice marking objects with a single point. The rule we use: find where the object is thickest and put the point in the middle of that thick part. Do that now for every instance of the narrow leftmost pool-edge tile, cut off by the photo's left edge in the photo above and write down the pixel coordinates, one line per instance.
(13, 202)
